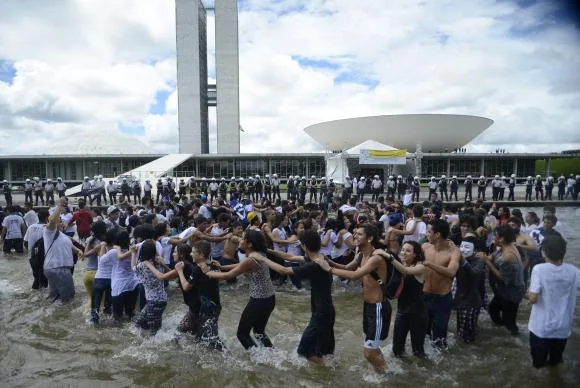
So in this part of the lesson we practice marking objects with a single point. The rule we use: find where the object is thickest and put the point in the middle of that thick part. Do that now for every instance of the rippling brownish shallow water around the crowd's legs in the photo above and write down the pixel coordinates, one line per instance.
(45, 345)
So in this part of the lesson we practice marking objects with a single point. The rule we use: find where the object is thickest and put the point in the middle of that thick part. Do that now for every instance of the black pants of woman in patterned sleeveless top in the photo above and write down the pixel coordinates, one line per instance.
(255, 317)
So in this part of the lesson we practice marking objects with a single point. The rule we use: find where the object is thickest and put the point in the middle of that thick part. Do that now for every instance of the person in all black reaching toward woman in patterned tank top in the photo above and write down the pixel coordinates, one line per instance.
(318, 337)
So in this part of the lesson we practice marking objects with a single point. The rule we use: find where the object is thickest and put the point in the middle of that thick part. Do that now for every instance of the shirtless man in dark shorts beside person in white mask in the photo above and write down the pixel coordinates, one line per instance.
(442, 261)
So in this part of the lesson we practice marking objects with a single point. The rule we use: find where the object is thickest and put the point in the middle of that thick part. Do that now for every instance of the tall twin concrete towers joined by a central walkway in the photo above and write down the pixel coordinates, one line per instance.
(195, 94)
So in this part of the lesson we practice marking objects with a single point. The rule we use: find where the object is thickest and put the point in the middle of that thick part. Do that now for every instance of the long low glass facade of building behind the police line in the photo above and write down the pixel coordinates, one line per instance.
(73, 169)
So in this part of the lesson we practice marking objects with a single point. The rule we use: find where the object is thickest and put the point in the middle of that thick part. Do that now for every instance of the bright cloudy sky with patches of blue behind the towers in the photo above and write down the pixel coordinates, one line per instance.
(100, 75)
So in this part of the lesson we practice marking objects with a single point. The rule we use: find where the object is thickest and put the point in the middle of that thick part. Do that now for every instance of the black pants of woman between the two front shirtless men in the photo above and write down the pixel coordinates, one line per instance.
(414, 321)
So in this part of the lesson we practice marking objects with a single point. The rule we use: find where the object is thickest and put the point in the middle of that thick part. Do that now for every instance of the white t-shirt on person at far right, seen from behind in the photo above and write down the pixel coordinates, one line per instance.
(557, 287)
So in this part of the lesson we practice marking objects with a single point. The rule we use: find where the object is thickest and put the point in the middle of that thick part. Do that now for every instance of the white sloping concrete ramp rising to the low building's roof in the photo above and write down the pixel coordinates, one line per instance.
(153, 170)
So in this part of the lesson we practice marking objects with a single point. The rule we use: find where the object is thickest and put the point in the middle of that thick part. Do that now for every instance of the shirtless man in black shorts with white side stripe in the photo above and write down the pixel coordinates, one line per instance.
(377, 310)
